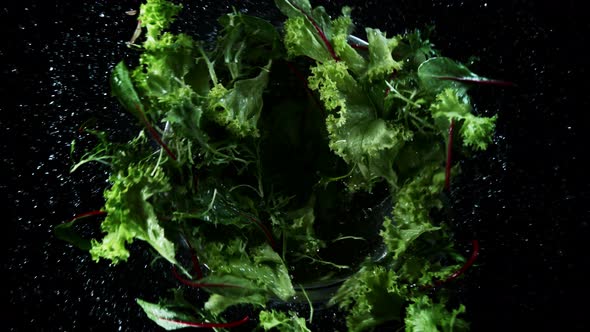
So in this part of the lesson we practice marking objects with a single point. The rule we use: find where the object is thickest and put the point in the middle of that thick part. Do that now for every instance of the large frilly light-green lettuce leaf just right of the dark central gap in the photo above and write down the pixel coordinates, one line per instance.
(365, 141)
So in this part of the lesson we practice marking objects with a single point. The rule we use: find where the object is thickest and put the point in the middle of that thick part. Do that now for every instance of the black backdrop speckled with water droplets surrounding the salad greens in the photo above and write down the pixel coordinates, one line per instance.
(525, 199)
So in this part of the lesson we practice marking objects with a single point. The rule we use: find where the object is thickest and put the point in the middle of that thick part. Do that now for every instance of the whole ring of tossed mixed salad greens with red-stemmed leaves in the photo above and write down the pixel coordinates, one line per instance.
(292, 163)
